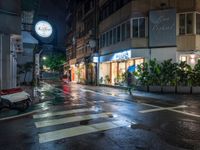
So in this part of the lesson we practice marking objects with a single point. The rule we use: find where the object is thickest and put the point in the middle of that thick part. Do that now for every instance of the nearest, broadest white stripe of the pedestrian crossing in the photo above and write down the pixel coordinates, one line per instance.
(75, 131)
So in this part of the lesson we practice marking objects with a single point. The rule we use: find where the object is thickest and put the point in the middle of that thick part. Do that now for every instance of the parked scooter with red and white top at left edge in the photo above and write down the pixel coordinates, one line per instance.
(15, 99)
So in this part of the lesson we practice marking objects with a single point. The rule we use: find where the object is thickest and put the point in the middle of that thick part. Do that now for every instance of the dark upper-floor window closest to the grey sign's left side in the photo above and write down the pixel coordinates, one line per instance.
(138, 26)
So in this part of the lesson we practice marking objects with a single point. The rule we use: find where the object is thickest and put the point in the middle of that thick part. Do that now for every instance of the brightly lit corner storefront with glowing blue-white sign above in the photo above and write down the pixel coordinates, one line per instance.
(113, 67)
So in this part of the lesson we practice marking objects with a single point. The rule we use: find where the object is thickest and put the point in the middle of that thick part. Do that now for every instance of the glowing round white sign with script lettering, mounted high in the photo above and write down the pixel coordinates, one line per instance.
(43, 29)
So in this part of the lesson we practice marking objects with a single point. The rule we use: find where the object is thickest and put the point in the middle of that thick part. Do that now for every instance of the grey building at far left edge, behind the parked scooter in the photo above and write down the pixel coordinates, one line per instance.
(10, 41)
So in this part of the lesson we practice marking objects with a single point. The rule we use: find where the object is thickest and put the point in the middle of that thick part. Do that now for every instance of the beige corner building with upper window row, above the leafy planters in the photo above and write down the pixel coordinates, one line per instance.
(134, 31)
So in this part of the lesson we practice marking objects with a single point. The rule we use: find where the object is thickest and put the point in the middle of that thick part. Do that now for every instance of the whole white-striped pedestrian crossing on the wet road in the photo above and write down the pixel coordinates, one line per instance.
(44, 120)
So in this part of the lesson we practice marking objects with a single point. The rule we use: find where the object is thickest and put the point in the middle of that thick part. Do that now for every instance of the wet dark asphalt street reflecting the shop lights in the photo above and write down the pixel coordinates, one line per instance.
(76, 118)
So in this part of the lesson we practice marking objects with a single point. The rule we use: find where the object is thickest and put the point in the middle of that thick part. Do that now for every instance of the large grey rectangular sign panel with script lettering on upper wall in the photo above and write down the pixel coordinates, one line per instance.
(162, 28)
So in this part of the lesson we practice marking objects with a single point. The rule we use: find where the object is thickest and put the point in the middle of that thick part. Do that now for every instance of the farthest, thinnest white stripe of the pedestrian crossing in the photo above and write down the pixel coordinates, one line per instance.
(50, 114)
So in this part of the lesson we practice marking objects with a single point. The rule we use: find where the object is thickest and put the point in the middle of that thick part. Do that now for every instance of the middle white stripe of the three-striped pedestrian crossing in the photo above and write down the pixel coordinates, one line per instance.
(65, 120)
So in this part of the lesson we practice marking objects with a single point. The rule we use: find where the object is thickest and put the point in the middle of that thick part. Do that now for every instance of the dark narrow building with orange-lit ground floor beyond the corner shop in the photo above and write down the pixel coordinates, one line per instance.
(83, 43)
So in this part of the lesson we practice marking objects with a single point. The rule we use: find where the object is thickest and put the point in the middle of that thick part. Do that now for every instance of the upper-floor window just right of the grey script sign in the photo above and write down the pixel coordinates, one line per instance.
(186, 23)
